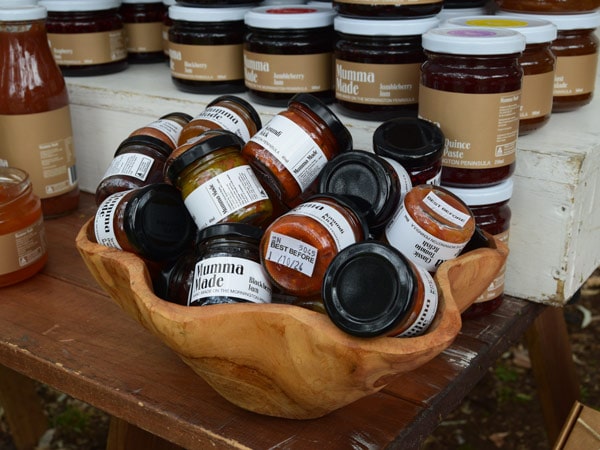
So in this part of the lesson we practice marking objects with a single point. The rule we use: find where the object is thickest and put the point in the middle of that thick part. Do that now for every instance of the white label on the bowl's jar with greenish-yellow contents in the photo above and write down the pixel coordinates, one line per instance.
(223, 195)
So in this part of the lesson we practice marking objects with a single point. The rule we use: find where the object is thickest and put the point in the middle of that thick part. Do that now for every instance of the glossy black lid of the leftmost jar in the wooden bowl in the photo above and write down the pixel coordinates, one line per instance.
(157, 222)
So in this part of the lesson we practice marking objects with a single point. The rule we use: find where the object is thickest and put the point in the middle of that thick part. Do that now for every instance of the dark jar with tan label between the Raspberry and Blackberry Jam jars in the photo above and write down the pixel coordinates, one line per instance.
(143, 22)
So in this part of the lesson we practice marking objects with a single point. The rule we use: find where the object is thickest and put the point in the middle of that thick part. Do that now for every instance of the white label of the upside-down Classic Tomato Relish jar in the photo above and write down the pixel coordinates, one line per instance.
(418, 245)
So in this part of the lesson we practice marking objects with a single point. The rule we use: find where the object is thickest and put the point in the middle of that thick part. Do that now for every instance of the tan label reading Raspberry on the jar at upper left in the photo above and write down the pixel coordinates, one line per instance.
(84, 49)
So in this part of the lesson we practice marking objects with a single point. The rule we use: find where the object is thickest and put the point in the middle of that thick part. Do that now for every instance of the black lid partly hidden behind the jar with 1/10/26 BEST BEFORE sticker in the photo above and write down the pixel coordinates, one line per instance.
(367, 179)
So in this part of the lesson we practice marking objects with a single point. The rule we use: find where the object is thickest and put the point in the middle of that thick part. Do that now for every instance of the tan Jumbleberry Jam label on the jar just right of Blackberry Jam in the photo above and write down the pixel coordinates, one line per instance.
(288, 73)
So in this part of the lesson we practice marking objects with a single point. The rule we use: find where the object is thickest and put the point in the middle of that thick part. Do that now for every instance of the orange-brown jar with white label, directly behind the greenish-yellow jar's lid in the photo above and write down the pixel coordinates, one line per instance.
(227, 112)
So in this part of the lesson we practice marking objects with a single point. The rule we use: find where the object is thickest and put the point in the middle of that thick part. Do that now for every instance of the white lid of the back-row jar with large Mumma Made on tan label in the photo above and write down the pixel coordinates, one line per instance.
(365, 27)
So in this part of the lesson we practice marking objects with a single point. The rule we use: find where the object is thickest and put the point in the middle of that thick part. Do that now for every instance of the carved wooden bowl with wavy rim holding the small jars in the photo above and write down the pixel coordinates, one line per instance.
(284, 360)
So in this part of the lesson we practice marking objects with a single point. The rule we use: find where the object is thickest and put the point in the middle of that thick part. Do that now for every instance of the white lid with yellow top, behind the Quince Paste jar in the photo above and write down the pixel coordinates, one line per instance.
(535, 30)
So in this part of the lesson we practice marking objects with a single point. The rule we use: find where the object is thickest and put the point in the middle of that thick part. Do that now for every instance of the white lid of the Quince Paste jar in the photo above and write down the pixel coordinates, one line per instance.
(473, 41)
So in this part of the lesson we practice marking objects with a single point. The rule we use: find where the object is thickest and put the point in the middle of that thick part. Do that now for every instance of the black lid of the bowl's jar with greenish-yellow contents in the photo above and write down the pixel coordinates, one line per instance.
(208, 142)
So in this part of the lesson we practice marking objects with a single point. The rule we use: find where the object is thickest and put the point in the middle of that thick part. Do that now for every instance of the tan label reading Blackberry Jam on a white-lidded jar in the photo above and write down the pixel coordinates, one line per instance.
(206, 62)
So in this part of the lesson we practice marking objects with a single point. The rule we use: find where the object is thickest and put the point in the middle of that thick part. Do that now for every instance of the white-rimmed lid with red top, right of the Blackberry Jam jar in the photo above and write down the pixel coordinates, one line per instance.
(290, 16)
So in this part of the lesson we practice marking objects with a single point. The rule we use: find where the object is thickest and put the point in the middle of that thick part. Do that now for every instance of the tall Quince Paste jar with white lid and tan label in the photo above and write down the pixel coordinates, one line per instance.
(476, 75)
